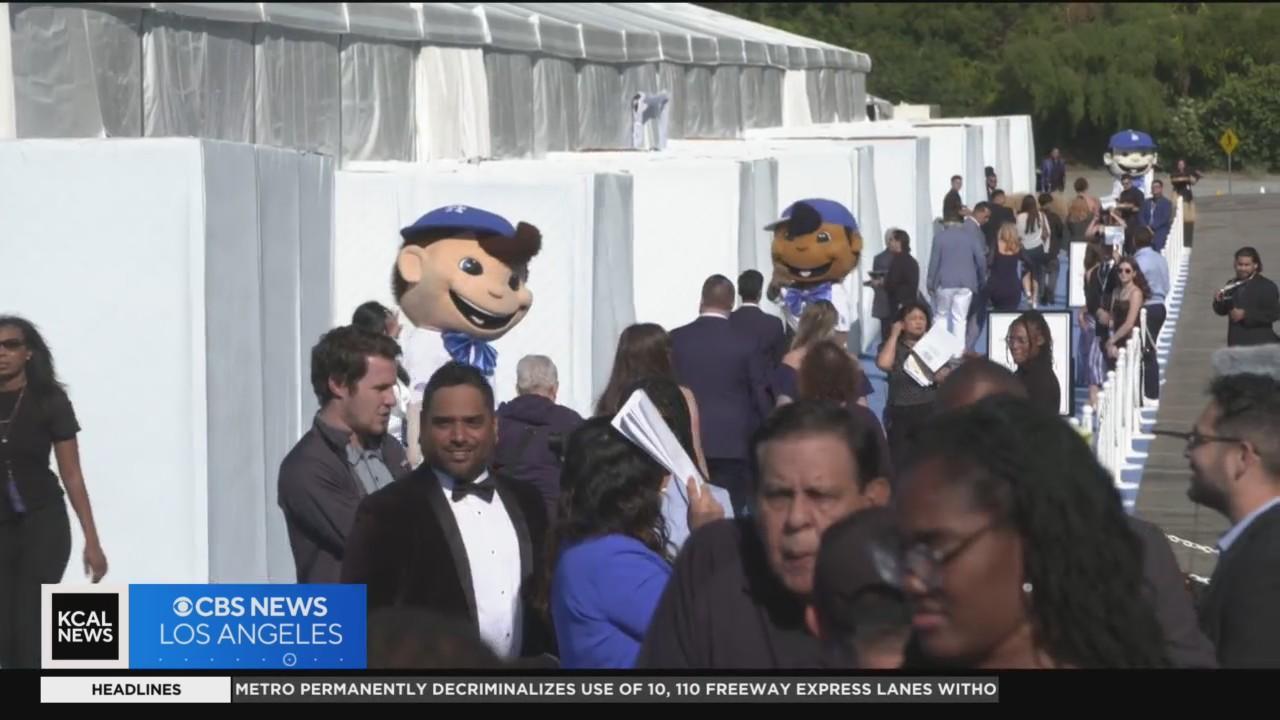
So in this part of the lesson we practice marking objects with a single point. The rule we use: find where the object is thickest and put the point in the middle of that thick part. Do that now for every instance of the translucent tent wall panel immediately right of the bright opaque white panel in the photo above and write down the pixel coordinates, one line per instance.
(511, 97)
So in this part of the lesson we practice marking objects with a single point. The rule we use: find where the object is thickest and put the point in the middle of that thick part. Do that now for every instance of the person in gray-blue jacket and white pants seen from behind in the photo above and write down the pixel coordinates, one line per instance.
(958, 271)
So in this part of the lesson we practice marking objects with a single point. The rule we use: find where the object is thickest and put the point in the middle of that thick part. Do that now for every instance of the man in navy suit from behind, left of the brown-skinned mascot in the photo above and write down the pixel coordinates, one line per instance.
(725, 371)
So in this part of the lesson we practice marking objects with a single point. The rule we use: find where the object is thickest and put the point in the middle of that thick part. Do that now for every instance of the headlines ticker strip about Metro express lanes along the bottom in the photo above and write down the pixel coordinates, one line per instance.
(516, 690)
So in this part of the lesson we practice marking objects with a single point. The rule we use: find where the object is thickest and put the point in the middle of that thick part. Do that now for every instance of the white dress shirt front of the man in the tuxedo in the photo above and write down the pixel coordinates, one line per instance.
(493, 553)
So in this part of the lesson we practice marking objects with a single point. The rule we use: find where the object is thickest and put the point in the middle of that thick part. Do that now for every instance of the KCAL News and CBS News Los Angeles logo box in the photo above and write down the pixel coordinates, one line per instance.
(204, 627)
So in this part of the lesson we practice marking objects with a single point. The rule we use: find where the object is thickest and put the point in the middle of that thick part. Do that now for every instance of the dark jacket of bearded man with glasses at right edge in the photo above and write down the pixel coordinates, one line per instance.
(1241, 610)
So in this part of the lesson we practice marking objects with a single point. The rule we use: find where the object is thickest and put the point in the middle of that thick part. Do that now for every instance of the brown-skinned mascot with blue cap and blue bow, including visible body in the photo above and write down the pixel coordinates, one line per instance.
(816, 245)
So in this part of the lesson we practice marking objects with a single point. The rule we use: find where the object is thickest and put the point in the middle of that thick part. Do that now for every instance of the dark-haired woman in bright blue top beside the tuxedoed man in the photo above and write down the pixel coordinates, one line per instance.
(610, 549)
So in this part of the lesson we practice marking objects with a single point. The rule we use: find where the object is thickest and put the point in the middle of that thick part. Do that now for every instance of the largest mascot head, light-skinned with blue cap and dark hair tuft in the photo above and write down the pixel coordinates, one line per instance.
(465, 270)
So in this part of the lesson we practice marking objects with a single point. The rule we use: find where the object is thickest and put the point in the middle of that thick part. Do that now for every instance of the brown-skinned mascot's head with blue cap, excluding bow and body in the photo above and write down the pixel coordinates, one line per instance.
(815, 241)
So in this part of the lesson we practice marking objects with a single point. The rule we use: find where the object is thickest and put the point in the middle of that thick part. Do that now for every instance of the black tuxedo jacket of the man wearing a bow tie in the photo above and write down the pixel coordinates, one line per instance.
(408, 549)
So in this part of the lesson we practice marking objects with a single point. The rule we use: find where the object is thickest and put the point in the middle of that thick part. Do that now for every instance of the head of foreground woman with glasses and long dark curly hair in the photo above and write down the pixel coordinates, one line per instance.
(1017, 549)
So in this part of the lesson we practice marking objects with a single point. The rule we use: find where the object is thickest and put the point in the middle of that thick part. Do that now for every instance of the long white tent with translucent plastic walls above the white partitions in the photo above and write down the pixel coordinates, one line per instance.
(368, 81)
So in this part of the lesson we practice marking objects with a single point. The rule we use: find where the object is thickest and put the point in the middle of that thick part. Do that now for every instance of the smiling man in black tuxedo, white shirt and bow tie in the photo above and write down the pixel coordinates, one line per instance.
(451, 537)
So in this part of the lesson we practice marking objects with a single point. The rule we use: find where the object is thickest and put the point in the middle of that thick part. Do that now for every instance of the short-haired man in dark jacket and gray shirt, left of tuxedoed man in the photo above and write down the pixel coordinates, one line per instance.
(346, 455)
